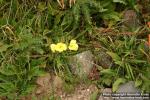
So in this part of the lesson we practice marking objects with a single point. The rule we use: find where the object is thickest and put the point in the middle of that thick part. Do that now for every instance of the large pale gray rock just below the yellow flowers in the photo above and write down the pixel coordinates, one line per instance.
(82, 63)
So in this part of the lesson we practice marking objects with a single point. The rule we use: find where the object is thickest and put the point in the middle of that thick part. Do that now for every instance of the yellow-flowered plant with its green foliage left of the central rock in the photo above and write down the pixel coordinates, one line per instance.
(60, 53)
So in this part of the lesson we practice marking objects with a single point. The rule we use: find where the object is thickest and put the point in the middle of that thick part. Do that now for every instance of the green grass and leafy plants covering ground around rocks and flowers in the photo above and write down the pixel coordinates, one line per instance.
(29, 27)
